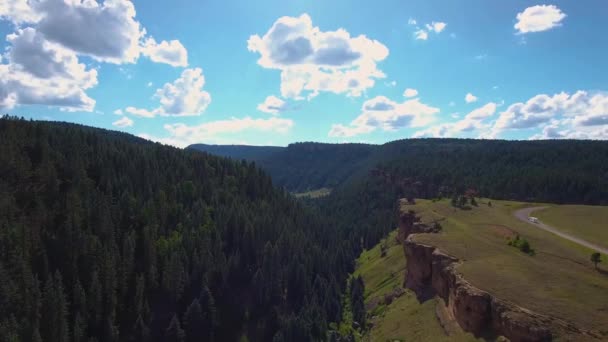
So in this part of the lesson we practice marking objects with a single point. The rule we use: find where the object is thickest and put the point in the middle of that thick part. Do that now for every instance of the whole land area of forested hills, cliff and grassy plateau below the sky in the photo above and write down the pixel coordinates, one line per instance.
(112, 236)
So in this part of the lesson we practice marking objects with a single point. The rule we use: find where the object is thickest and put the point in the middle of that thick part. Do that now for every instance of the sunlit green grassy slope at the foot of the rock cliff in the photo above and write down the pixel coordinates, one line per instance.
(405, 319)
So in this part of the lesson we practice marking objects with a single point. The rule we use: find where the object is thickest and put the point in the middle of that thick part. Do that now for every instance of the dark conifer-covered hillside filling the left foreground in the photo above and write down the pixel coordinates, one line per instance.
(107, 237)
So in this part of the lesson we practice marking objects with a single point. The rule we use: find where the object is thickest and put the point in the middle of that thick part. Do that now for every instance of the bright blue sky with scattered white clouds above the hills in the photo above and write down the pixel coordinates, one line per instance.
(271, 72)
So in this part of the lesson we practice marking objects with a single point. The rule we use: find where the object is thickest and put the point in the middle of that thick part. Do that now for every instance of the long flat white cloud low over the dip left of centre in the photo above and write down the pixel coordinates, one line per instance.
(222, 131)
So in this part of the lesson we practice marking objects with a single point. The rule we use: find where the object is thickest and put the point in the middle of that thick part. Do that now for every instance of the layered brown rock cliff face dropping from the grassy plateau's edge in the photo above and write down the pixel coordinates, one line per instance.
(431, 272)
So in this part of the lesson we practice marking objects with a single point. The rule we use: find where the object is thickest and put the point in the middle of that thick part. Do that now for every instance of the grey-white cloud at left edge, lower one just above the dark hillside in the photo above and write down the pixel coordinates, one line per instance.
(39, 72)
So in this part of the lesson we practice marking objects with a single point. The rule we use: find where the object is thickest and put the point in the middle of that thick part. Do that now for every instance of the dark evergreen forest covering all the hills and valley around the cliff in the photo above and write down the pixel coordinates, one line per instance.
(108, 237)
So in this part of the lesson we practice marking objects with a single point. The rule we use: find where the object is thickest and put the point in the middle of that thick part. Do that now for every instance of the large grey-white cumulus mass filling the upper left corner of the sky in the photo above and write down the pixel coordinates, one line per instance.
(41, 64)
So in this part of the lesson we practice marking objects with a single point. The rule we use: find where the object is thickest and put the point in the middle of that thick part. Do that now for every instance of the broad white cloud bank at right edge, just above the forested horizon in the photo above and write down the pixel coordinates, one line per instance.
(583, 112)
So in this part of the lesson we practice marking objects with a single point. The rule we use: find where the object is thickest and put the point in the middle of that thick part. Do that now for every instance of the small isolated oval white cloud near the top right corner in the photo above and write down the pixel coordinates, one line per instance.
(539, 18)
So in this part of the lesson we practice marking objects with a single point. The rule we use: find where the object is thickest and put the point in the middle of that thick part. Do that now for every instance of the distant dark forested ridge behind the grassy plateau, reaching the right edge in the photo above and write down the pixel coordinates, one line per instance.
(560, 171)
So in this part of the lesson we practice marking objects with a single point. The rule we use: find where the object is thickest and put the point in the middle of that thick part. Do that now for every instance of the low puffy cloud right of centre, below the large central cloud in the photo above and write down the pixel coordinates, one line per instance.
(383, 113)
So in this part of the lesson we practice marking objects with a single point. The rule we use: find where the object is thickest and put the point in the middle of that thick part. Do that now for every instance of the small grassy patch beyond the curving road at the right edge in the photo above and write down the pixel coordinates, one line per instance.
(587, 222)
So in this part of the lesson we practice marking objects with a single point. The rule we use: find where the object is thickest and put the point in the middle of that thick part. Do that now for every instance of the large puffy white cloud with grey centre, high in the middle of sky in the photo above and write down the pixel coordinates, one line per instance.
(313, 61)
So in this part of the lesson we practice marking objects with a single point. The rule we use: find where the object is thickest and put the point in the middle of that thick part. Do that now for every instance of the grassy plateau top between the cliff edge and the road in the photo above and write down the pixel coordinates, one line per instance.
(559, 281)
